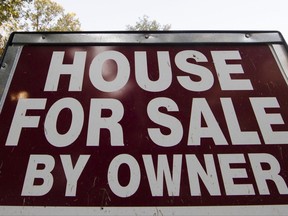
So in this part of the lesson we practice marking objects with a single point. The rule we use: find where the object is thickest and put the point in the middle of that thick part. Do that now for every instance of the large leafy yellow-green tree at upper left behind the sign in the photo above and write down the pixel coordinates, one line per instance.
(34, 15)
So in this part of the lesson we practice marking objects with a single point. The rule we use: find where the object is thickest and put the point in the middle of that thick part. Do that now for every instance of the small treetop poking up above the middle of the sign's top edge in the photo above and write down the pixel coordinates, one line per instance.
(144, 24)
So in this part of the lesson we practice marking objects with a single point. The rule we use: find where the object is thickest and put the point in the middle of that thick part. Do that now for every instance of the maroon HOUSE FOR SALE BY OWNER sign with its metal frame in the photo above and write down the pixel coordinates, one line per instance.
(144, 123)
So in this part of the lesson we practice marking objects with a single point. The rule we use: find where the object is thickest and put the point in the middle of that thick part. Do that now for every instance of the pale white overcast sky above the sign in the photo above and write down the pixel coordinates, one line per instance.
(110, 15)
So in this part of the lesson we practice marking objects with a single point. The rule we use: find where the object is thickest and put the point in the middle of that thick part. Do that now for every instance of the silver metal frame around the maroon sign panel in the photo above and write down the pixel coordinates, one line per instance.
(19, 40)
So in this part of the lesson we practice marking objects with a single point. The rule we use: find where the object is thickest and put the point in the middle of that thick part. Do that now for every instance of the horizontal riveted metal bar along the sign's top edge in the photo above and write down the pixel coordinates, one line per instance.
(145, 37)
